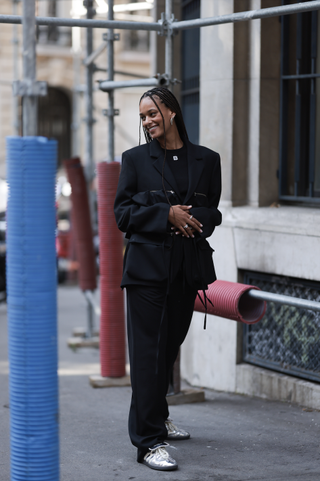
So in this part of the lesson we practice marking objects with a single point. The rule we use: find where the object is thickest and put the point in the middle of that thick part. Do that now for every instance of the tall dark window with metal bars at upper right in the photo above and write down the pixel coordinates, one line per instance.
(299, 174)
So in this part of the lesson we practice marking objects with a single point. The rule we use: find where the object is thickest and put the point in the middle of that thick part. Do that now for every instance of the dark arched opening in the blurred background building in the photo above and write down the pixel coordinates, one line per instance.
(54, 120)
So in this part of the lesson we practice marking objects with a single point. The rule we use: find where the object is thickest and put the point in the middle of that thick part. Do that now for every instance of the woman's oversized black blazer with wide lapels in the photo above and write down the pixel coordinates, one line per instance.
(141, 210)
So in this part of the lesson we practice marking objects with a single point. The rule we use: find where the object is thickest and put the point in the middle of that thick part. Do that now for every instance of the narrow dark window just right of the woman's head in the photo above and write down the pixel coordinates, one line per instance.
(191, 70)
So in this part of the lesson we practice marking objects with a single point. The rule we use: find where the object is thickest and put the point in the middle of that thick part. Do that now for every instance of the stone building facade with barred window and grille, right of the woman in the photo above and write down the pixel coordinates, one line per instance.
(259, 109)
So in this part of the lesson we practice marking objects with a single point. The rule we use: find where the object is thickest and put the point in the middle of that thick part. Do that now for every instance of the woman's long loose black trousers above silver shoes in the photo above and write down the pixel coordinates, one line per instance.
(157, 326)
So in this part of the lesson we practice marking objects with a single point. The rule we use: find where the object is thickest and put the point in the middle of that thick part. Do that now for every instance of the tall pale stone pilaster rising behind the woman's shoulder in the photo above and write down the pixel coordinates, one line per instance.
(216, 88)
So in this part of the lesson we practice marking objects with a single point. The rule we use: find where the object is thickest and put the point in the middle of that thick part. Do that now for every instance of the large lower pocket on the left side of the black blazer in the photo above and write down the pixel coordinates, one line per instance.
(146, 261)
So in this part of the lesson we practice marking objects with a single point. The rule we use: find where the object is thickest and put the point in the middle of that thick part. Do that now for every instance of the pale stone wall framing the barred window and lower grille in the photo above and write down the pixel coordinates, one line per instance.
(282, 241)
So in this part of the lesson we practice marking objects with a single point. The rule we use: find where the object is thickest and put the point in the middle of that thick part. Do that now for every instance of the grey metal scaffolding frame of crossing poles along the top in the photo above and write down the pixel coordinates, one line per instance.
(167, 26)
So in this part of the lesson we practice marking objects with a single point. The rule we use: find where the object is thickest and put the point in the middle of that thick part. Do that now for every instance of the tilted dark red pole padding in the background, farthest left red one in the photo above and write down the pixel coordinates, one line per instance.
(82, 224)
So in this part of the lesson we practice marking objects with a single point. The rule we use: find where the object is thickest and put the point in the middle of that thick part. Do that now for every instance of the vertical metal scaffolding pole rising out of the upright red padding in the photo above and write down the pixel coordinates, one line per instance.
(110, 66)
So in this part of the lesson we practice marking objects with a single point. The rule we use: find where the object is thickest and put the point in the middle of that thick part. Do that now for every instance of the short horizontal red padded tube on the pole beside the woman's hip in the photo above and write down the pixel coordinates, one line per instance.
(230, 300)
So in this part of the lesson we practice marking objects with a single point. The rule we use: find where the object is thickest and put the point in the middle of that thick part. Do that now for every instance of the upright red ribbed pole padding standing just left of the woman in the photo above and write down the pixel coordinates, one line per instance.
(112, 327)
